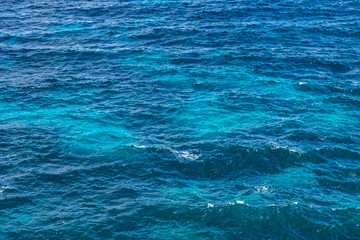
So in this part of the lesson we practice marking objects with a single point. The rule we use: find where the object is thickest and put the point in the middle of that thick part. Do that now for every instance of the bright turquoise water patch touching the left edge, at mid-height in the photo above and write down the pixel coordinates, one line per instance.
(92, 131)
